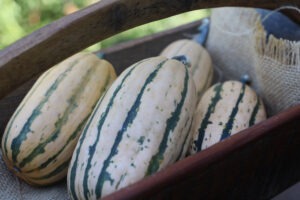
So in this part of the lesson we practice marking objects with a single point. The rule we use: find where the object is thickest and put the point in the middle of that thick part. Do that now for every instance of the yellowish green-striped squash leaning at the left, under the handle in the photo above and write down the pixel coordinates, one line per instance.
(42, 133)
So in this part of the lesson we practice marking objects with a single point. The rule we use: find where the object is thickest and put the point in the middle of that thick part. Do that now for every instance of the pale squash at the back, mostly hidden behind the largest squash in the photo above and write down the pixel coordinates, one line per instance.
(199, 58)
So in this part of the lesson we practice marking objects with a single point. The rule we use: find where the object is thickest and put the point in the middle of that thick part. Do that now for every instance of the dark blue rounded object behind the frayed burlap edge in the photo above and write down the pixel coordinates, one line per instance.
(279, 25)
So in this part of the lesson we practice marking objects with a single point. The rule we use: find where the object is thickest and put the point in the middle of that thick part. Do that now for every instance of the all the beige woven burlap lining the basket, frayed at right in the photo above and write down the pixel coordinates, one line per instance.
(238, 45)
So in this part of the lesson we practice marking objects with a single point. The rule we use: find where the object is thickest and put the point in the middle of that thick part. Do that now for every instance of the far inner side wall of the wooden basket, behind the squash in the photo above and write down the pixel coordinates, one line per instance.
(123, 55)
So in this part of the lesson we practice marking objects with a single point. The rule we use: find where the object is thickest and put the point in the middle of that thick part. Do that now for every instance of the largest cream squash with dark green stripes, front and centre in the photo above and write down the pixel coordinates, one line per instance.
(139, 127)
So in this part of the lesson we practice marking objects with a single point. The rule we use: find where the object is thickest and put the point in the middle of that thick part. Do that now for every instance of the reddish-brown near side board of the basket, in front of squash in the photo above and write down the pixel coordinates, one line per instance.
(257, 163)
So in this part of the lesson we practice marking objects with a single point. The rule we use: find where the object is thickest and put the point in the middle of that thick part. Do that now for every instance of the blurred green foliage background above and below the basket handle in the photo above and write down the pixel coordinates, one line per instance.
(19, 18)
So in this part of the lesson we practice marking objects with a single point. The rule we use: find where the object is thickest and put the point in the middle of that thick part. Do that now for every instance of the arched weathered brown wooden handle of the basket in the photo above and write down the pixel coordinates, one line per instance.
(49, 45)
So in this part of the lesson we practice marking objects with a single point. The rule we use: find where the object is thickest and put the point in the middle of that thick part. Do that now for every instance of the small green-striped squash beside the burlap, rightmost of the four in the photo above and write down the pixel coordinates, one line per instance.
(225, 109)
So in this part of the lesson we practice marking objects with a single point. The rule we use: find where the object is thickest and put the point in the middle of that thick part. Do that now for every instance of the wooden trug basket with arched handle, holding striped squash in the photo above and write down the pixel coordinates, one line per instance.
(258, 163)
